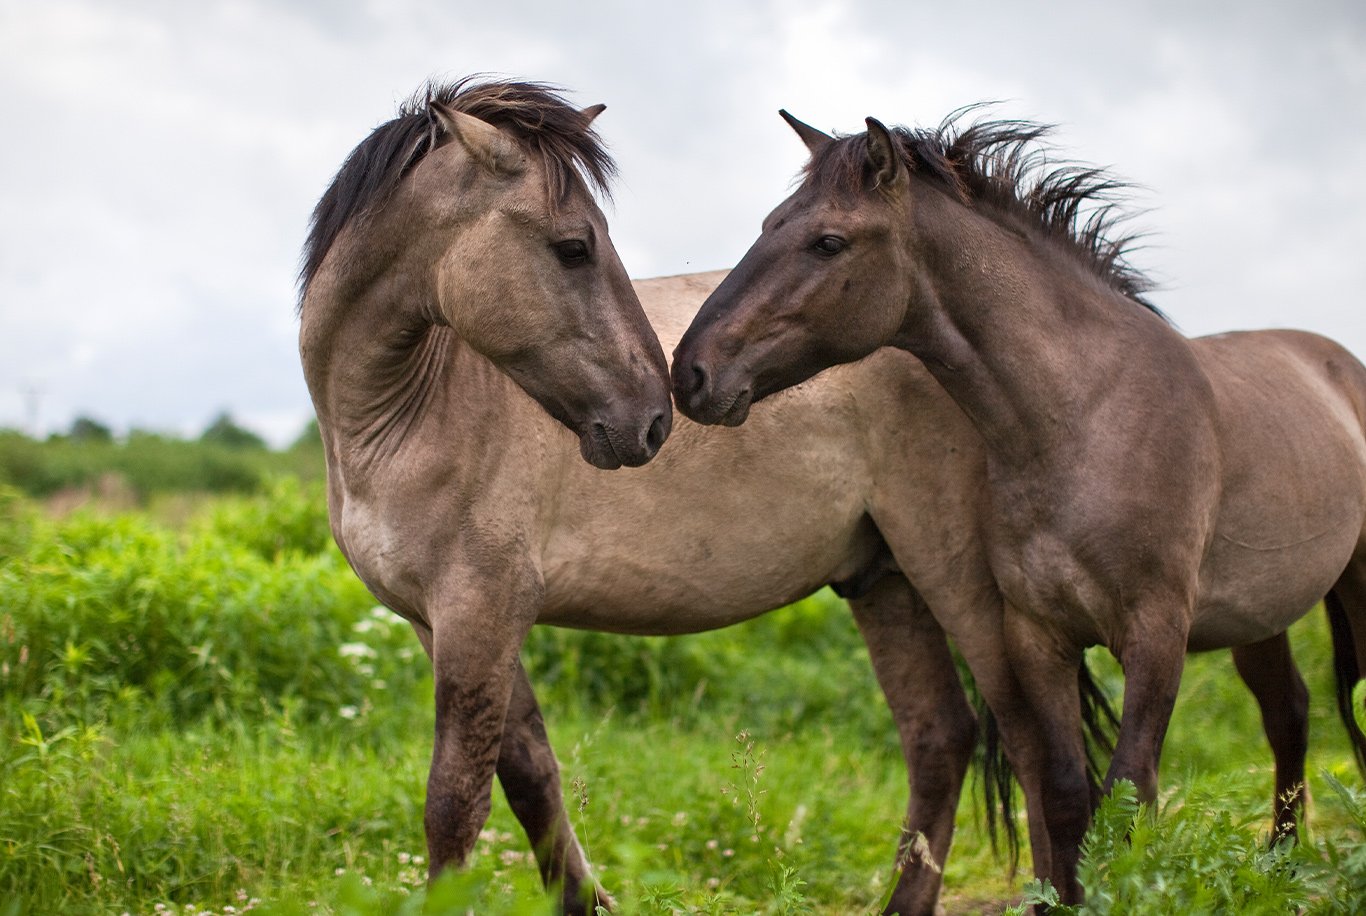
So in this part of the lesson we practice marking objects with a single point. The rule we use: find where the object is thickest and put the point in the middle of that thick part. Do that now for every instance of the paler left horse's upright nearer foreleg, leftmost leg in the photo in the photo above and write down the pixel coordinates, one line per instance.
(475, 661)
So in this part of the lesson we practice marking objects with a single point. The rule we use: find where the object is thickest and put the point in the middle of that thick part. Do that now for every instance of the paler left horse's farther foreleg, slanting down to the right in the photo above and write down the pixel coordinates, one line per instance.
(531, 779)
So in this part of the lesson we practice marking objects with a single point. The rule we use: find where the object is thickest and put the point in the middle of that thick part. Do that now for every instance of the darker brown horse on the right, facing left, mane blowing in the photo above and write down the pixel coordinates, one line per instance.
(1148, 492)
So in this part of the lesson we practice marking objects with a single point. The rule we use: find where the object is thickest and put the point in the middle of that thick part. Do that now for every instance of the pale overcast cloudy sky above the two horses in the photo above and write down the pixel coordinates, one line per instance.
(161, 159)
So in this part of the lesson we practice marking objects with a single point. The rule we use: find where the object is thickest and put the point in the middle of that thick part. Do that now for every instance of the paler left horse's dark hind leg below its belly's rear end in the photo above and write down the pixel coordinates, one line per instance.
(936, 726)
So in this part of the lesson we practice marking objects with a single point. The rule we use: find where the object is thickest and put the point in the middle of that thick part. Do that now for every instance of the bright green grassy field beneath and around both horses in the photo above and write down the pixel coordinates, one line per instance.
(204, 712)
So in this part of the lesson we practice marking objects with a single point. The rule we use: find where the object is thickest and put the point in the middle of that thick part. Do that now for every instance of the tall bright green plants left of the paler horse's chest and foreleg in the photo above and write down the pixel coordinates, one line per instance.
(252, 610)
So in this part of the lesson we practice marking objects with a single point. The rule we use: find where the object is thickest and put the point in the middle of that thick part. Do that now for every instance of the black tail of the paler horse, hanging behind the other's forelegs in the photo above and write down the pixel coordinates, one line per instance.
(1102, 726)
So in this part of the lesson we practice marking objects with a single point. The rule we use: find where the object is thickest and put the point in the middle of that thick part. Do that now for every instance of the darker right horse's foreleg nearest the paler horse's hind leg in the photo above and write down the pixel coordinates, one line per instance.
(1046, 671)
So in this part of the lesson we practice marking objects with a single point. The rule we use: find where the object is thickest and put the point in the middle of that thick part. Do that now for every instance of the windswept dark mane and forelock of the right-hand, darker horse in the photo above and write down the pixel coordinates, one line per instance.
(1003, 164)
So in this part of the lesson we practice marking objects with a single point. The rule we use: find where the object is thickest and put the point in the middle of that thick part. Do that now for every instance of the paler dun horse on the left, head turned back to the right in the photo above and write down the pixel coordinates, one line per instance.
(476, 357)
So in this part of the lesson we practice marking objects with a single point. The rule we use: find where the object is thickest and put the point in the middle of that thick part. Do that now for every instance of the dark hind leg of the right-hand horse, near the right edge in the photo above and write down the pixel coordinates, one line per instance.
(1270, 672)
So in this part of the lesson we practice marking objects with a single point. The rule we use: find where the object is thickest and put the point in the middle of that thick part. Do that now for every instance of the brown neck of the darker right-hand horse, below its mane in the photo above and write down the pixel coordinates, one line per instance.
(1022, 335)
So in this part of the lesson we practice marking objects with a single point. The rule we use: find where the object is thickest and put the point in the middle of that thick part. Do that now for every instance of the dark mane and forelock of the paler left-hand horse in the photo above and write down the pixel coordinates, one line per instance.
(548, 126)
